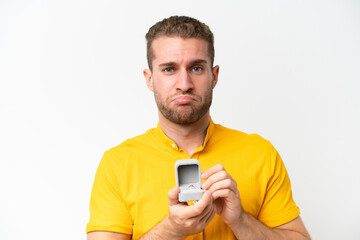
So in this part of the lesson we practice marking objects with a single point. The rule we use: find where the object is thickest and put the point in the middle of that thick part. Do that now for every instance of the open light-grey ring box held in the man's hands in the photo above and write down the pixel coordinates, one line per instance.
(188, 179)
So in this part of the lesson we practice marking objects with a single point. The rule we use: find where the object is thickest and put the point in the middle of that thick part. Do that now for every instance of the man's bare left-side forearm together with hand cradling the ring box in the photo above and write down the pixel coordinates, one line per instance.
(183, 220)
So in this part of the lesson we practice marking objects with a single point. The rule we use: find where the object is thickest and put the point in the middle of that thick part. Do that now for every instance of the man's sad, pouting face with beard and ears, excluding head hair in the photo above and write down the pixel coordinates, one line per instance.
(182, 79)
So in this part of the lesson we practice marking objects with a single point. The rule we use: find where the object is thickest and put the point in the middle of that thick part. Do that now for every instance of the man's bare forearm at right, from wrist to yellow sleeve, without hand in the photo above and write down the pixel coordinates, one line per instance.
(249, 228)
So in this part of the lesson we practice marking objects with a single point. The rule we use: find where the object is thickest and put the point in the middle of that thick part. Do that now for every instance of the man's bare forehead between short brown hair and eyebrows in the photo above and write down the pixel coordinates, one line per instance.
(177, 49)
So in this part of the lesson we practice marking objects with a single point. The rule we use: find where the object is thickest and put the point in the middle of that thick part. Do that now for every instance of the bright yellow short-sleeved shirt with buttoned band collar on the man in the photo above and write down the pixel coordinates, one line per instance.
(129, 194)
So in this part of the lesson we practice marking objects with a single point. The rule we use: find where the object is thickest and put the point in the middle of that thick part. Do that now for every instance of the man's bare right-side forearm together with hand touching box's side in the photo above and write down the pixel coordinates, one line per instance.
(227, 204)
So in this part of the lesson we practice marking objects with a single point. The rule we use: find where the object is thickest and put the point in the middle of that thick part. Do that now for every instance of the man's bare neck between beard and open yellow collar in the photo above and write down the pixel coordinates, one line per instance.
(188, 137)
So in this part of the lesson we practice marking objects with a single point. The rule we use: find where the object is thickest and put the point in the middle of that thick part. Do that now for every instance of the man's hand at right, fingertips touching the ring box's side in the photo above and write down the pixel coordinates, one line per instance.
(224, 192)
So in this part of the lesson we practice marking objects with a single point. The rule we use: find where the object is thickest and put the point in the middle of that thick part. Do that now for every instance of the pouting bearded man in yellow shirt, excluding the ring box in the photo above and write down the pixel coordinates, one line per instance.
(247, 189)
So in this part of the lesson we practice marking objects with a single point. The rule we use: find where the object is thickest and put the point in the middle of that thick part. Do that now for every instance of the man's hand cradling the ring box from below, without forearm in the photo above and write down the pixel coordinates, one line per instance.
(185, 220)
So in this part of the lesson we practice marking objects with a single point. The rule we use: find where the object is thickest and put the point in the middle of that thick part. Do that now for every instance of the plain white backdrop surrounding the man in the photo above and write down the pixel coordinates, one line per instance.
(72, 87)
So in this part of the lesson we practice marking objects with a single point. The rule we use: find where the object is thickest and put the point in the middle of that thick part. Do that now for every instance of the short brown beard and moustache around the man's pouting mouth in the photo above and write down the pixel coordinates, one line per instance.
(187, 113)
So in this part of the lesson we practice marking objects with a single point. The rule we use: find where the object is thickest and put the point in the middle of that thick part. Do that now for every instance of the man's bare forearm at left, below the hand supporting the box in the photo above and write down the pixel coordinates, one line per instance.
(162, 231)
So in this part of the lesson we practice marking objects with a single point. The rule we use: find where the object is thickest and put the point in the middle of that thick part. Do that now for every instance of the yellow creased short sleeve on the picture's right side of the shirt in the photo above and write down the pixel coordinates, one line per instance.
(278, 207)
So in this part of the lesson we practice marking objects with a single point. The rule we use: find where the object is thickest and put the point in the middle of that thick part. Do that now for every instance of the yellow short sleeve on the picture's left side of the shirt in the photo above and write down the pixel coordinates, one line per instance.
(108, 211)
